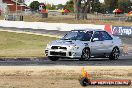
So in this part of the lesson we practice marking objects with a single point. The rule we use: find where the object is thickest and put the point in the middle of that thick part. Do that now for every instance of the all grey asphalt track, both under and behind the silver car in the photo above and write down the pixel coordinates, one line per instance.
(123, 60)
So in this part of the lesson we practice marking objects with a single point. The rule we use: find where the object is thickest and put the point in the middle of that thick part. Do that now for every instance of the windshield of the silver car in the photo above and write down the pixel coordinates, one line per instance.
(78, 35)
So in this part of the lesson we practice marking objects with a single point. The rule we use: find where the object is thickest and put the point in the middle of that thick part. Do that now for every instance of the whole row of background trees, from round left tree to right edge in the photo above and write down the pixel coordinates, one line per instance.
(90, 6)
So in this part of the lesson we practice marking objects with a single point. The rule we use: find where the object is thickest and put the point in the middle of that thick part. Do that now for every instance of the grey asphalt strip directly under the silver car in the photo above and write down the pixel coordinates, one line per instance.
(122, 61)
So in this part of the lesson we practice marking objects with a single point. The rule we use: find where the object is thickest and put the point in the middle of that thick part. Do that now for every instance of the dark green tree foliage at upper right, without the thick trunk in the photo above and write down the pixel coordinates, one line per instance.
(106, 7)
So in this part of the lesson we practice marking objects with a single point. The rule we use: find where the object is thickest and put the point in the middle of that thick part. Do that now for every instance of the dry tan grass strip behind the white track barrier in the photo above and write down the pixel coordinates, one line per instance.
(70, 19)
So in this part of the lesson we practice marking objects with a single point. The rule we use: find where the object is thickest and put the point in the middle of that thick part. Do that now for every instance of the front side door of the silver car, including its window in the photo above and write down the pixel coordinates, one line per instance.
(97, 46)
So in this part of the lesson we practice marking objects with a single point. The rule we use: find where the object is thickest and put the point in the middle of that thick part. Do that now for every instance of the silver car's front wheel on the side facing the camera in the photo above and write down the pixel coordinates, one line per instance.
(85, 54)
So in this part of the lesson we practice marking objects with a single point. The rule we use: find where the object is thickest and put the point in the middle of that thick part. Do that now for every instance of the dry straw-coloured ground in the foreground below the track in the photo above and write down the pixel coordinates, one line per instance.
(58, 76)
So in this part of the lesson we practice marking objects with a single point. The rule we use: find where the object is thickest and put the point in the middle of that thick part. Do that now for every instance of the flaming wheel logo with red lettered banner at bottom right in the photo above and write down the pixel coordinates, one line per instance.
(85, 80)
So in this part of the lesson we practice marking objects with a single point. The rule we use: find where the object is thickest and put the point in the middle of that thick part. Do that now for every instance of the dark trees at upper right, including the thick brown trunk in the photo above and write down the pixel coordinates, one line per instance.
(82, 7)
